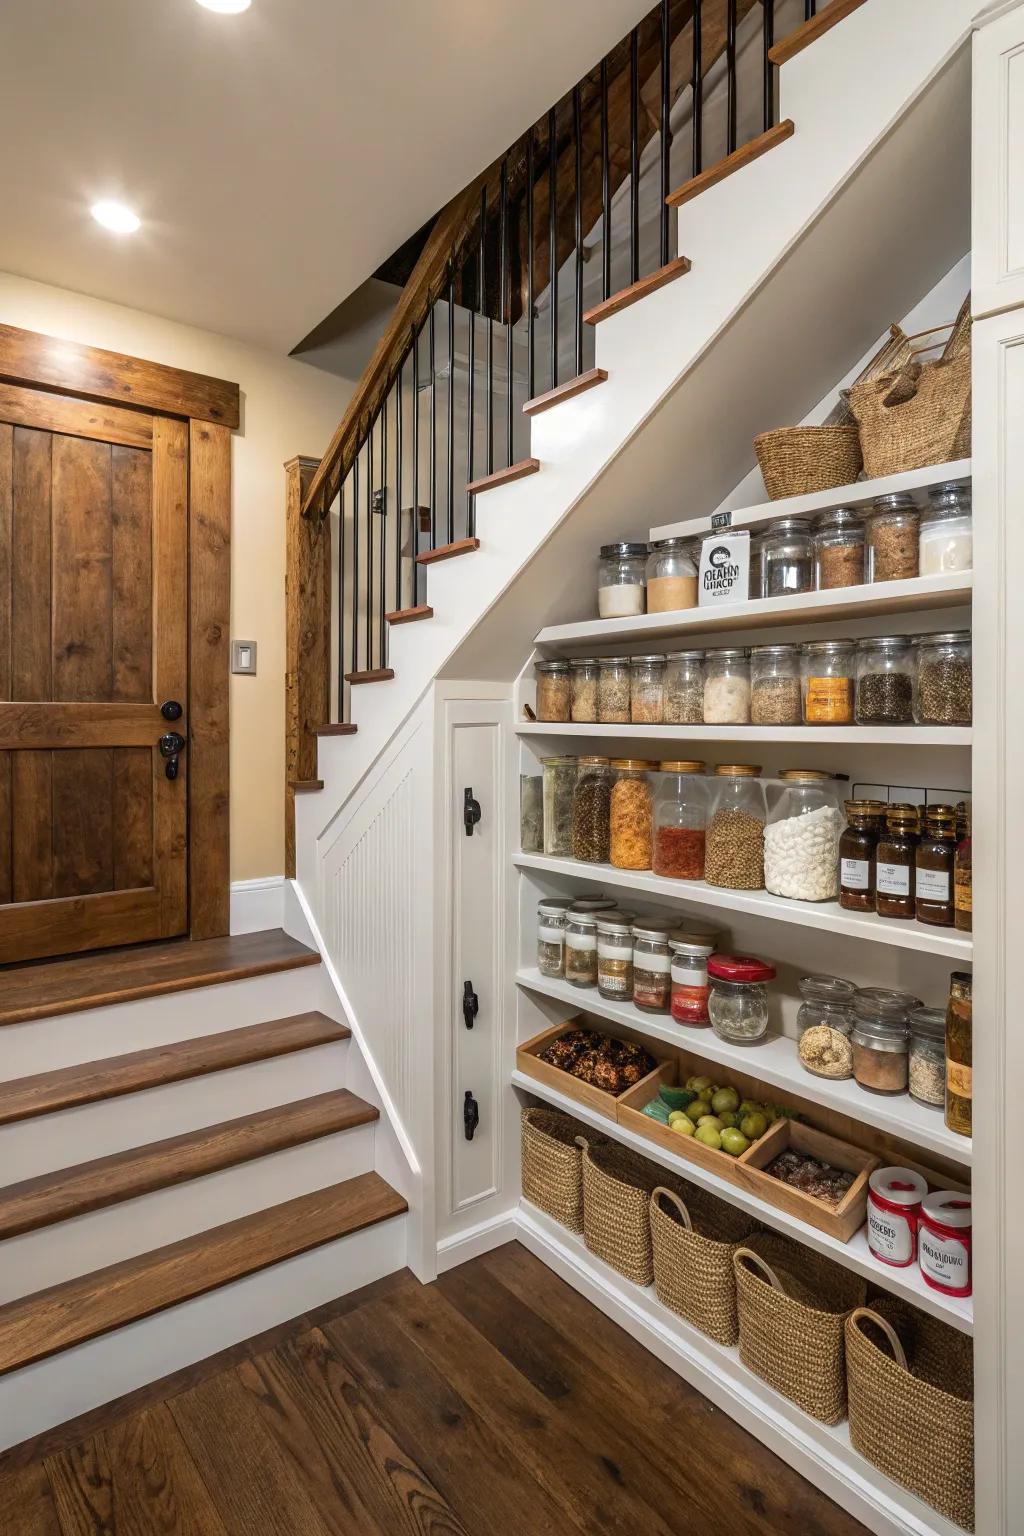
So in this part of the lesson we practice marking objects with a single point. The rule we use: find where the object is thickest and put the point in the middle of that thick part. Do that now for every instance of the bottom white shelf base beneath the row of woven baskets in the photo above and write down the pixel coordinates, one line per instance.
(821, 1452)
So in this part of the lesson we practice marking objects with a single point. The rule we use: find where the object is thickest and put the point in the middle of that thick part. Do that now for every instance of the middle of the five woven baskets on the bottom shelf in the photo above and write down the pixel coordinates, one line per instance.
(695, 1242)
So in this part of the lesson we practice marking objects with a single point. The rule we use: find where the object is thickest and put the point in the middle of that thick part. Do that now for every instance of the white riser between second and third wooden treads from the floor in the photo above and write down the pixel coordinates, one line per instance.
(91, 1131)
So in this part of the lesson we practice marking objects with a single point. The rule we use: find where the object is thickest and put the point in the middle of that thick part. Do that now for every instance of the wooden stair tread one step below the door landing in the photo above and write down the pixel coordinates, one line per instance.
(47, 1093)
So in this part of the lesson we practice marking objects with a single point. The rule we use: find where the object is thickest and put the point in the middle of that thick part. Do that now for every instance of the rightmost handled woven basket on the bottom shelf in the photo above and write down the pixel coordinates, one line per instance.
(911, 1403)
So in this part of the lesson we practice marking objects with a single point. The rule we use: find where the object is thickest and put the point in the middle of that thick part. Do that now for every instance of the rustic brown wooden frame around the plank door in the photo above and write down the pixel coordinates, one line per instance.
(211, 408)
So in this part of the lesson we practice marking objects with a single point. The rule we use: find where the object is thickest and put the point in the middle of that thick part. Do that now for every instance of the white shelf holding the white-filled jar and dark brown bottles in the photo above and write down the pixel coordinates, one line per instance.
(828, 916)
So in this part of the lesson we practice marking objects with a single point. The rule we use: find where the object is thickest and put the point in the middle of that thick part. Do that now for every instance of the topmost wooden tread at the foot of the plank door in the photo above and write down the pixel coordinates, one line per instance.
(122, 976)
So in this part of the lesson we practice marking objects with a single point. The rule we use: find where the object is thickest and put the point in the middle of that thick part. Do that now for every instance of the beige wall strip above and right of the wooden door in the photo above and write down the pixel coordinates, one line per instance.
(286, 408)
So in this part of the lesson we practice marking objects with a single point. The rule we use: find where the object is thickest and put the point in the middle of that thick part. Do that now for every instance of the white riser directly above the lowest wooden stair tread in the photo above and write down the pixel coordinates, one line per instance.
(136, 1226)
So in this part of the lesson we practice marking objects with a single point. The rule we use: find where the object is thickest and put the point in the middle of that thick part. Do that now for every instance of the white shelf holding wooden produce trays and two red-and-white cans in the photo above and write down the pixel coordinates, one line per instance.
(853, 1256)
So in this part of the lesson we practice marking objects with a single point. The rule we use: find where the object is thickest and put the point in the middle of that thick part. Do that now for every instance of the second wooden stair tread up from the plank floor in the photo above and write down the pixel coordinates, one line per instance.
(124, 1176)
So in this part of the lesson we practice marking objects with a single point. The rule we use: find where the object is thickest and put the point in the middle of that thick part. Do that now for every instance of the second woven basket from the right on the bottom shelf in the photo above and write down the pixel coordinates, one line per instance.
(793, 1305)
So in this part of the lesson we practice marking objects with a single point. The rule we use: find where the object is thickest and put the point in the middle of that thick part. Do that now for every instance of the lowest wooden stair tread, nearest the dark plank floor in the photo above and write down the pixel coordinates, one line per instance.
(39, 1326)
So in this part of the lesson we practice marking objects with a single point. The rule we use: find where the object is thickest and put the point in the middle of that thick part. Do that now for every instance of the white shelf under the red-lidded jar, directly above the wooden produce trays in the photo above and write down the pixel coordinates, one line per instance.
(775, 1062)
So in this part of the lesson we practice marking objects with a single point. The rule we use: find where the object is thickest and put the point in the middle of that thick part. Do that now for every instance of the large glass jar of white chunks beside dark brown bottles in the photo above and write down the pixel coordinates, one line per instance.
(802, 838)
